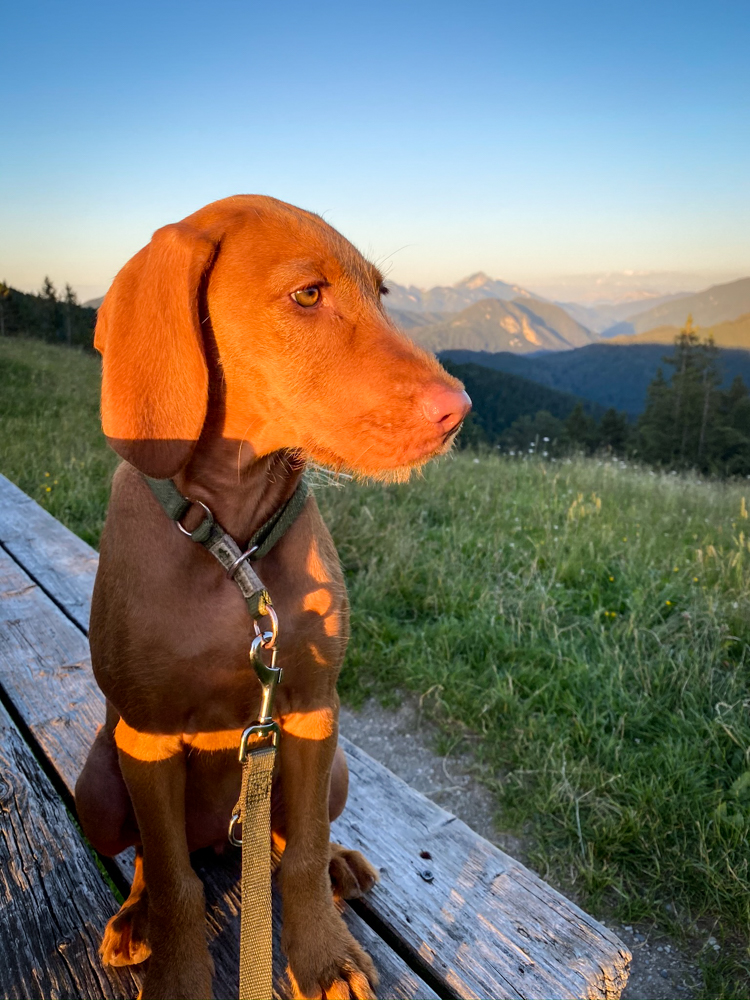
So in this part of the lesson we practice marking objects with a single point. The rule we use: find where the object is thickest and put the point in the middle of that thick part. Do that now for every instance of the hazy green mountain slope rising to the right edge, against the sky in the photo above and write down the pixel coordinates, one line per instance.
(714, 305)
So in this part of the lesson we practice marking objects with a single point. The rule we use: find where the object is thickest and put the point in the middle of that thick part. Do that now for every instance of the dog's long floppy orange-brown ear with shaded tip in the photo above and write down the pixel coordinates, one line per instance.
(155, 377)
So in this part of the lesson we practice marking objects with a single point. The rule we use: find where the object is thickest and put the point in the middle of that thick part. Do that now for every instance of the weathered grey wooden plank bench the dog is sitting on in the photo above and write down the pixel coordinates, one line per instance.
(478, 924)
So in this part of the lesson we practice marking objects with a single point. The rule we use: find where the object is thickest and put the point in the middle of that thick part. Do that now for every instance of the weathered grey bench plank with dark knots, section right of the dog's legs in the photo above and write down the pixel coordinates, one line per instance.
(483, 923)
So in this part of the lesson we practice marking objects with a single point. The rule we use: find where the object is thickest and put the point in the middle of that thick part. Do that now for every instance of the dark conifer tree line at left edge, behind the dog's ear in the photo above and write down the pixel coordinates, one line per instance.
(56, 317)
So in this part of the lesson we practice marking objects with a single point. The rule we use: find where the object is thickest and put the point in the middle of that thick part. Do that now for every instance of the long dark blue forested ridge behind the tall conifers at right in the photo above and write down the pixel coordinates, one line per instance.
(609, 374)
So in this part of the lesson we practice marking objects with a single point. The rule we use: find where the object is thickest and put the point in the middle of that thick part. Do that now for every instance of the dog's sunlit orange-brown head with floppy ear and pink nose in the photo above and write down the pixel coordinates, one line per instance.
(271, 308)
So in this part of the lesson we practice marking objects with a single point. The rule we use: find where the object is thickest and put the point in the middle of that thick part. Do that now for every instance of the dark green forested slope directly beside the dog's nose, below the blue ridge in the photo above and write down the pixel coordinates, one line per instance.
(500, 398)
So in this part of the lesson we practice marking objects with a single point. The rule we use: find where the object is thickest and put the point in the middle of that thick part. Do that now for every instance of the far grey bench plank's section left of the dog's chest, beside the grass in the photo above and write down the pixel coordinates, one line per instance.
(51, 554)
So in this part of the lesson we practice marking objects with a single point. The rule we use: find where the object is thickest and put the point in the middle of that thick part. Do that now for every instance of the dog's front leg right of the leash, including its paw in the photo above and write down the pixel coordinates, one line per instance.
(324, 958)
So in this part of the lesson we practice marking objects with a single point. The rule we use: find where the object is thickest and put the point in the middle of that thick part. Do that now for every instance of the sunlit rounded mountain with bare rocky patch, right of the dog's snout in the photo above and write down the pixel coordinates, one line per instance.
(521, 326)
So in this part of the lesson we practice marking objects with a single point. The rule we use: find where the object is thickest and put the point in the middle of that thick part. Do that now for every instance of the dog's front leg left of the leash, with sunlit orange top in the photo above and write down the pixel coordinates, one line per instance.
(154, 770)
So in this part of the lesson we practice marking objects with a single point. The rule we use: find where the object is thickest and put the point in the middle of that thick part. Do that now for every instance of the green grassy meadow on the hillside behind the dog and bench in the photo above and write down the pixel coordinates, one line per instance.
(582, 625)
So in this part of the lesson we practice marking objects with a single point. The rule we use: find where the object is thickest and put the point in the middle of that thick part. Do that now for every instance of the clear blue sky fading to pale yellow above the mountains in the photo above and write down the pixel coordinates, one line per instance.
(524, 139)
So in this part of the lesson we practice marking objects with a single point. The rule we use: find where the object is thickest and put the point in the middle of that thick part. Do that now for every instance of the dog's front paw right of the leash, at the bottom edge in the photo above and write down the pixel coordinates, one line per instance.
(330, 965)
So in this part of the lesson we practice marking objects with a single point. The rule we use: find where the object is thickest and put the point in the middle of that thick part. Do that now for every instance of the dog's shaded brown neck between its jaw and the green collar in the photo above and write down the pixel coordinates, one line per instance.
(241, 490)
